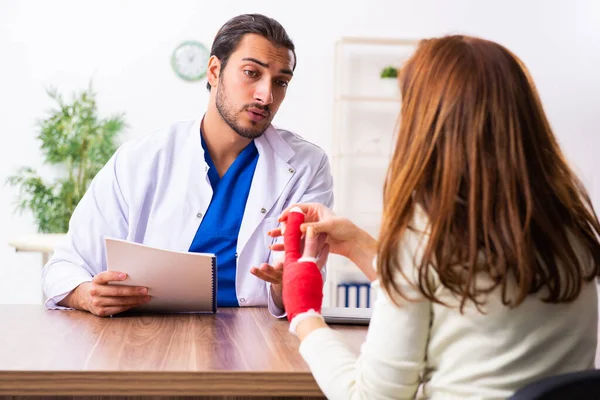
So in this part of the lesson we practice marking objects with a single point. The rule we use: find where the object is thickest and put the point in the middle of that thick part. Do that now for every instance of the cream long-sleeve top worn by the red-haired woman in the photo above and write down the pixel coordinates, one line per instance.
(426, 350)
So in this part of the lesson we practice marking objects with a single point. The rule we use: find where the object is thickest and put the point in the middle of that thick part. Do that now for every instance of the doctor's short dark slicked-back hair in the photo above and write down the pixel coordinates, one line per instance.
(229, 36)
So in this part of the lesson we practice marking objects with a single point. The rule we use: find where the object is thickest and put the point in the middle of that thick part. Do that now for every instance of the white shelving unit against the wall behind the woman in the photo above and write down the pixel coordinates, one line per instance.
(366, 109)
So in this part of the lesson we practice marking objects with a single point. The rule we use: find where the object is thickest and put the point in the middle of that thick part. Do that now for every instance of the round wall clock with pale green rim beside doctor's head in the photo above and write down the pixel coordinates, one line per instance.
(189, 60)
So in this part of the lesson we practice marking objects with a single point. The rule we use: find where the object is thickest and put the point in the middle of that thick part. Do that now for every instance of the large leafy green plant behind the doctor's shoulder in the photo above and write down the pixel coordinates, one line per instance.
(74, 138)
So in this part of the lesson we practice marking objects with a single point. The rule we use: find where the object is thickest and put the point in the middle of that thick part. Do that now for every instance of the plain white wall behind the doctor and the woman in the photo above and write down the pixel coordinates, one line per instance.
(125, 47)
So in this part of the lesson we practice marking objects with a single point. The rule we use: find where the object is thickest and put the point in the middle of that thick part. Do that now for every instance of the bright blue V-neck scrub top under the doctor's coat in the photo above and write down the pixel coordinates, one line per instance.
(220, 228)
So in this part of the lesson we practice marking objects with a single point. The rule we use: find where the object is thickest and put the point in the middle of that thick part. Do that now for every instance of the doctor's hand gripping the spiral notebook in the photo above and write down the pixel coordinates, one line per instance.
(101, 298)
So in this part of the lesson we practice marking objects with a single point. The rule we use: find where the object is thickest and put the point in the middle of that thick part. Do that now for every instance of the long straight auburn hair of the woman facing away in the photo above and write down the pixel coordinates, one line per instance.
(476, 152)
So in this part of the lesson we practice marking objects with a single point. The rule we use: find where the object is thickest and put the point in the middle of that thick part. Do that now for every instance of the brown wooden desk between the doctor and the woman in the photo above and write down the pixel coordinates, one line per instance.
(237, 352)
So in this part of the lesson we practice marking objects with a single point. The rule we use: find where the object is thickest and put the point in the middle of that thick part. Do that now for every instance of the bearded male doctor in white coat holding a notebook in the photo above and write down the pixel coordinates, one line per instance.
(214, 185)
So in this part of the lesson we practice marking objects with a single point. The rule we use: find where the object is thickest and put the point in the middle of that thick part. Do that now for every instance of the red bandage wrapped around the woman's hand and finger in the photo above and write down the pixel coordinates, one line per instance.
(302, 280)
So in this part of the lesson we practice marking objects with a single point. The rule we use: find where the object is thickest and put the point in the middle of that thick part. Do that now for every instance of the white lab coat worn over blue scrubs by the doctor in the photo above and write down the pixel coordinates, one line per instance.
(155, 190)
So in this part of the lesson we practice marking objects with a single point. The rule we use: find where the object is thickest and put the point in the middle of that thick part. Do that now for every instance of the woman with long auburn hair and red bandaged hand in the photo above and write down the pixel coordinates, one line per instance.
(488, 251)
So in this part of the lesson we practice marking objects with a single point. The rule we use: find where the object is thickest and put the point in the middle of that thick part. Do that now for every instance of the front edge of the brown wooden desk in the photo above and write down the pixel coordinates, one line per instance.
(152, 383)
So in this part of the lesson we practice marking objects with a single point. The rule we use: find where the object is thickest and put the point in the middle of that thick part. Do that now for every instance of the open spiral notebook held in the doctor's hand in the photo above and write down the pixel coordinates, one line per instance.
(179, 282)
